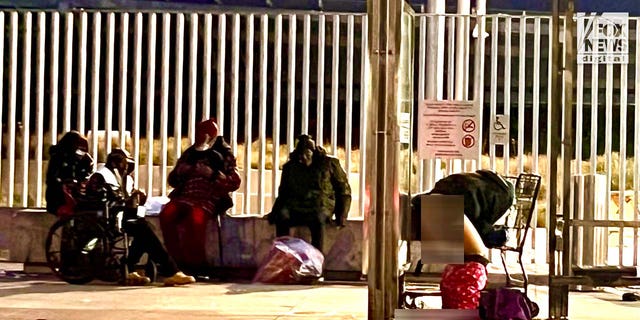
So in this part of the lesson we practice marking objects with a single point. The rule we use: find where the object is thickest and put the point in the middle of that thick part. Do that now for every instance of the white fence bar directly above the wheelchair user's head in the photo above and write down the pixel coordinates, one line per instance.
(124, 61)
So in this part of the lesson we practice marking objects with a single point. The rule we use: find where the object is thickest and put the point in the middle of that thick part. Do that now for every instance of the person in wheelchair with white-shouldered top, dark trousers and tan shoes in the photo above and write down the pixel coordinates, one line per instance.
(112, 185)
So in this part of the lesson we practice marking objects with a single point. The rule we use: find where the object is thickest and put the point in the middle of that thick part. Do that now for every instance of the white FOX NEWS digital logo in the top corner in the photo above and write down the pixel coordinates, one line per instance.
(603, 38)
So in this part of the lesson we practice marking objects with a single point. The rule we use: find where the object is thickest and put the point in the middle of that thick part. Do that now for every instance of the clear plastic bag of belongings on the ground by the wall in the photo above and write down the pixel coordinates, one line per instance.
(290, 261)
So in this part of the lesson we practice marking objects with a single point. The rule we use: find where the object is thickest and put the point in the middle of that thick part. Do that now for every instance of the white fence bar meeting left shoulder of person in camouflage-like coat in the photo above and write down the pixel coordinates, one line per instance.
(291, 75)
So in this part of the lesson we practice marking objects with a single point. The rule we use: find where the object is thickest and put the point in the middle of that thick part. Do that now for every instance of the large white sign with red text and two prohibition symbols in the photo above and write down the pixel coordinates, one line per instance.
(449, 130)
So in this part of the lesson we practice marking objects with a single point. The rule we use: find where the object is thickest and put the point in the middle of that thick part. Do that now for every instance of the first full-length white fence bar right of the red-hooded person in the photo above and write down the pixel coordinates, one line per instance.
(248, 113)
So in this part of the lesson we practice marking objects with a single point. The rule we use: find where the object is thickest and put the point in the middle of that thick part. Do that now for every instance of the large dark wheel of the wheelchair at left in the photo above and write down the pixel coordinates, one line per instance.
(76, 247)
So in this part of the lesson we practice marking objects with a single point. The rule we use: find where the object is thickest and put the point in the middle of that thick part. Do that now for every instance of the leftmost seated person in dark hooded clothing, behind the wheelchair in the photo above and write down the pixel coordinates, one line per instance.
(67, 172)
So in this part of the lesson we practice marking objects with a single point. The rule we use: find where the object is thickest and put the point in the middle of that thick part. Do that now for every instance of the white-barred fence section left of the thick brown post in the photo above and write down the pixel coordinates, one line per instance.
(143, 79)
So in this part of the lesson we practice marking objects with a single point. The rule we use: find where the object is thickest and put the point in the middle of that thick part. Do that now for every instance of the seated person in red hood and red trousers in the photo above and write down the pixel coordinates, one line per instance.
(202, 179)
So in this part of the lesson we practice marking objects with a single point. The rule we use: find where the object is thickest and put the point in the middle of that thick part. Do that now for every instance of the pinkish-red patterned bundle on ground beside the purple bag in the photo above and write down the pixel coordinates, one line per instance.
(461, 285)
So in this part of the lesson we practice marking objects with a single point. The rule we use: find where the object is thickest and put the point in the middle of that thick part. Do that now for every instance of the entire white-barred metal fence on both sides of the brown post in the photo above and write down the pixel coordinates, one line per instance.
(143, 79)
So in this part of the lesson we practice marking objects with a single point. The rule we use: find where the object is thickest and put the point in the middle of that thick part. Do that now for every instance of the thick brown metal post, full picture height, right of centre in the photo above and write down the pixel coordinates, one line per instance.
(383, 216)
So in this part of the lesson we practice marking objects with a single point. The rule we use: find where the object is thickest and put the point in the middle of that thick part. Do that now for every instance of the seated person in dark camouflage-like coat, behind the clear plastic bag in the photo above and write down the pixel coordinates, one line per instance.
(313, 188)
